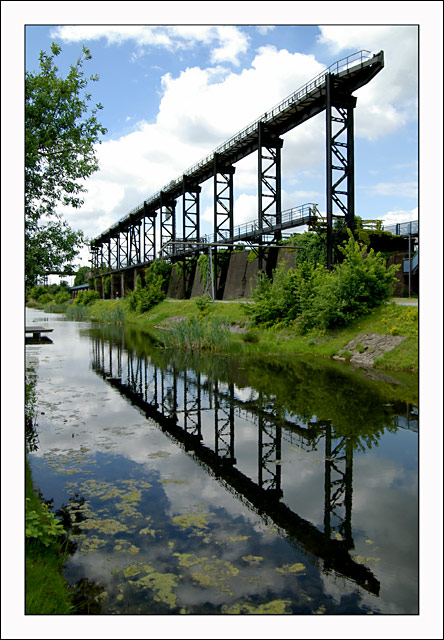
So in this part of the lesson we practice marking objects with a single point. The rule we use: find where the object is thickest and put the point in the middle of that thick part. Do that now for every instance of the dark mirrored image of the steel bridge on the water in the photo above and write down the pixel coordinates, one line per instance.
(200, 414)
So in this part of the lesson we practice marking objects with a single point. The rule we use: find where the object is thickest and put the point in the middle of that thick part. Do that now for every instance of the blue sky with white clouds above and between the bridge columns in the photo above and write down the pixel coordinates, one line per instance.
(172, 94)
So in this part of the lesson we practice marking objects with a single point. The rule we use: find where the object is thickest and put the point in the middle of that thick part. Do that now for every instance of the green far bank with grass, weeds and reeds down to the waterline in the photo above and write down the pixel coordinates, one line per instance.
(226, 327)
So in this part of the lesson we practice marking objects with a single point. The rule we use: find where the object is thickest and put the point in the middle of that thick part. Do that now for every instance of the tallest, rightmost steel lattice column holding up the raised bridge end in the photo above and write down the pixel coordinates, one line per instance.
(340, 162)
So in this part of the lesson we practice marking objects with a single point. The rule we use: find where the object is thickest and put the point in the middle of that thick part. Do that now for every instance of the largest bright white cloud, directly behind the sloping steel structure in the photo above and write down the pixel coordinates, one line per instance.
(200, 109)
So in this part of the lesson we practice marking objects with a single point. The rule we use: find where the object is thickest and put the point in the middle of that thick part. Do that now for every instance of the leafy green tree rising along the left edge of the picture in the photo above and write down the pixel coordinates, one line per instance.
(60, 133)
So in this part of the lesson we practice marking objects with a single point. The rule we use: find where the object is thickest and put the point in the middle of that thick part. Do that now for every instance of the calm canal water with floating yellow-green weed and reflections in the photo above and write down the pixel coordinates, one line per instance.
(224, 485)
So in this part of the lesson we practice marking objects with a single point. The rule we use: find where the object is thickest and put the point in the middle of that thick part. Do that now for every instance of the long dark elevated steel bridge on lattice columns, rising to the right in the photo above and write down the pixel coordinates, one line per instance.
(134, 240)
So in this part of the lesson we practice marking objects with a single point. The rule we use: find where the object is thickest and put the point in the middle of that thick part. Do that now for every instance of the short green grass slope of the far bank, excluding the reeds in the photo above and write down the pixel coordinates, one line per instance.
(392, 319)
